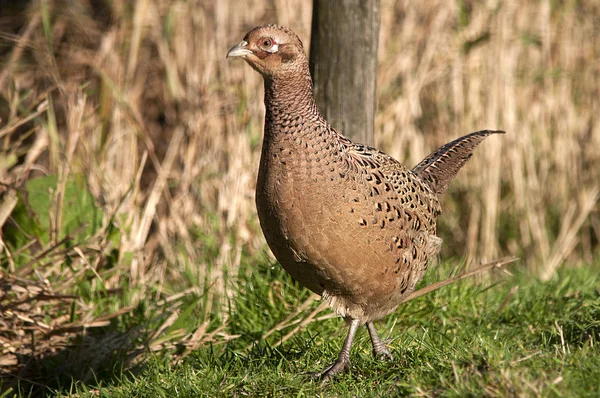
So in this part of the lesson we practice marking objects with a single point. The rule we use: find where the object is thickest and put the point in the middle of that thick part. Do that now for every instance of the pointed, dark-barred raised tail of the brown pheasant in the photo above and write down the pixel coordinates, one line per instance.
(440, 167)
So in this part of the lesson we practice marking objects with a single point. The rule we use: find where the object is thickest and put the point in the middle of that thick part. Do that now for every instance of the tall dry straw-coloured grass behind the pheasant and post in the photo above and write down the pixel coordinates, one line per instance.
(138, 98)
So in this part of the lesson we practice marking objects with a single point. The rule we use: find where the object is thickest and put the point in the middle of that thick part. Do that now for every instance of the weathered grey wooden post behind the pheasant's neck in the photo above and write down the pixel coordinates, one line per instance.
(343, 64)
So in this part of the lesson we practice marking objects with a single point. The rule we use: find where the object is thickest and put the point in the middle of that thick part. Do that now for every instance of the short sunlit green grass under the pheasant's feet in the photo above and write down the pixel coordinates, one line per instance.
(518, 336)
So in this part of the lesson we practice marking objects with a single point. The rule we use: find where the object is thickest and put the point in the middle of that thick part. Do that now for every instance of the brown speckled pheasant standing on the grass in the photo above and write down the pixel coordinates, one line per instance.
(345, 220)
